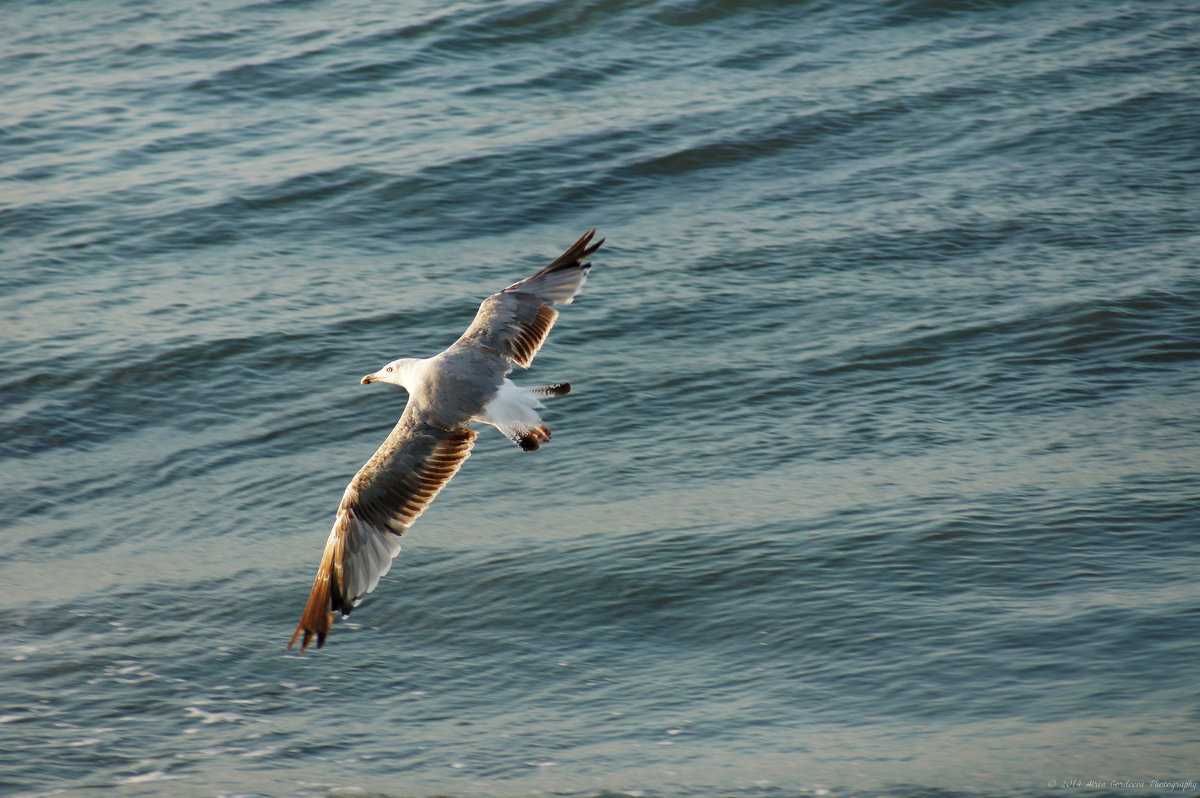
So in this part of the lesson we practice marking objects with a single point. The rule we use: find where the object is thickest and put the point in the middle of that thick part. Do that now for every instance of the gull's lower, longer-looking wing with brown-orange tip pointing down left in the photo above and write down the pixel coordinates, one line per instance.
(381, 503)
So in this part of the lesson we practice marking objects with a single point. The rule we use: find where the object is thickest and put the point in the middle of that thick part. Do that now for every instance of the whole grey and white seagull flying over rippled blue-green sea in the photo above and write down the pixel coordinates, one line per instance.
(466, 383)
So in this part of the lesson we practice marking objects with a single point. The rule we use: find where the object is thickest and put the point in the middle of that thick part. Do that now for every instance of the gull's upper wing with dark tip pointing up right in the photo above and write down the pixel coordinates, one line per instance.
(517, 321)
